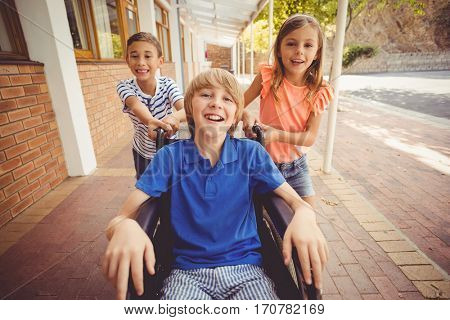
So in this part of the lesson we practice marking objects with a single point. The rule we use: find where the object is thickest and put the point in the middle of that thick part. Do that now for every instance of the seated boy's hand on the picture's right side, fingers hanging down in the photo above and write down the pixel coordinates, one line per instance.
(304, 234)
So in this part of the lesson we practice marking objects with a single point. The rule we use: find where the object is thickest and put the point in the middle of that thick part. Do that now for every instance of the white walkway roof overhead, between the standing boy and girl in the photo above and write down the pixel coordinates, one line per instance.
(220, 21)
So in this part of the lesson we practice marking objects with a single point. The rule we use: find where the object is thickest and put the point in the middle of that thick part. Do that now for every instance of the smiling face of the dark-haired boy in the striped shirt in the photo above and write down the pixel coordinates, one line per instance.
(143, 60)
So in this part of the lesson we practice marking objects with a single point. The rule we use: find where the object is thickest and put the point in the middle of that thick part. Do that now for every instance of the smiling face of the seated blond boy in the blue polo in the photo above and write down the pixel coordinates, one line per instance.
(213, 111)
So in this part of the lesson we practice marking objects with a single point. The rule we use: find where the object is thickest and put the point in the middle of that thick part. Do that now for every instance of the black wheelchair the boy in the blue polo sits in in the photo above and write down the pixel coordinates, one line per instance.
(273, 216)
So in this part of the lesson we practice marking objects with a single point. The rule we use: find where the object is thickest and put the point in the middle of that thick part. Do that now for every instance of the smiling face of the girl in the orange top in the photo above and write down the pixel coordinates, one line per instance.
(298, 50)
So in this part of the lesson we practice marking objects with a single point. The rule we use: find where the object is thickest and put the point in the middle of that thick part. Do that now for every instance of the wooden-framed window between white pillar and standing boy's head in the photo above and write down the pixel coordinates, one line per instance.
(100, 28)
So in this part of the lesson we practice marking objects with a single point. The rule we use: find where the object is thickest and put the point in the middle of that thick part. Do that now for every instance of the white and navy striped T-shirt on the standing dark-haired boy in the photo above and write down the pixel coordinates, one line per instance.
(160, 105)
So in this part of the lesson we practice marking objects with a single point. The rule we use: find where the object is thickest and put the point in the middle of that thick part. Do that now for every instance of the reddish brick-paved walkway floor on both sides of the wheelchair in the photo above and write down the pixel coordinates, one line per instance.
(53, 250)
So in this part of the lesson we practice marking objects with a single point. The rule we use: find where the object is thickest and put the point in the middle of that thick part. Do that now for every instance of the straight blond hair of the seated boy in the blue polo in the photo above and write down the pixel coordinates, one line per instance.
(214, 78)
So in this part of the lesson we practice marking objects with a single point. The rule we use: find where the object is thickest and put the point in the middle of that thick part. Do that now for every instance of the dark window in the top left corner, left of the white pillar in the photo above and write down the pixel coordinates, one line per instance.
(12, 41)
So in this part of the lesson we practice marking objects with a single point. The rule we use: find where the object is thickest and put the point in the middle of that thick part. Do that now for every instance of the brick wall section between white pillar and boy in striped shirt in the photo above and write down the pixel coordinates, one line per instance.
(106, 120)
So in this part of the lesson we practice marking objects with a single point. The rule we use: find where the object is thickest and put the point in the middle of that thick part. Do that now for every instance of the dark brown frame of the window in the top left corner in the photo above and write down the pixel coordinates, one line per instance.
(15, 33)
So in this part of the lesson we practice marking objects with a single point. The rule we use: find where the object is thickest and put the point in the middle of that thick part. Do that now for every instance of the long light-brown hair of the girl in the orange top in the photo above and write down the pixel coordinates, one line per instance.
(314, 74)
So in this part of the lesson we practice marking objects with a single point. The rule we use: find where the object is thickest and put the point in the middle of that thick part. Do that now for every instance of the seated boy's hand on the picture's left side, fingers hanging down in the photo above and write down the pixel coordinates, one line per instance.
(128, 247)
